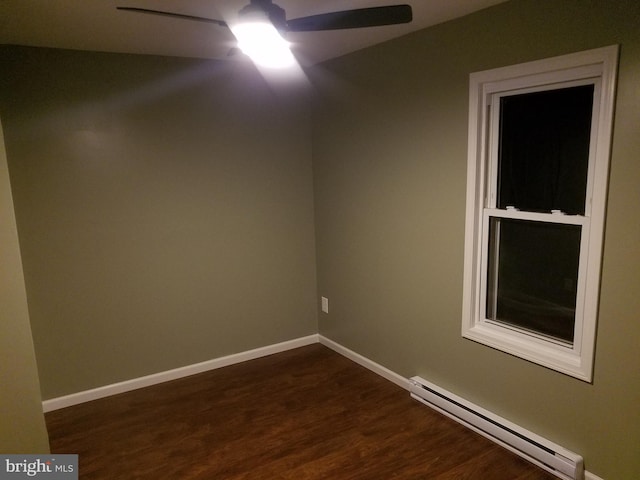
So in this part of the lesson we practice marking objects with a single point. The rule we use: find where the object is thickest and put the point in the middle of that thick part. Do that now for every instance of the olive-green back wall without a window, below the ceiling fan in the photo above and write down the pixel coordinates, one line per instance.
(164, 210)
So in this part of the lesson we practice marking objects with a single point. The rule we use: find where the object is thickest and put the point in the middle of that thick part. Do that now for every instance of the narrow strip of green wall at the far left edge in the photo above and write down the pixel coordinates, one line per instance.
(23, 428)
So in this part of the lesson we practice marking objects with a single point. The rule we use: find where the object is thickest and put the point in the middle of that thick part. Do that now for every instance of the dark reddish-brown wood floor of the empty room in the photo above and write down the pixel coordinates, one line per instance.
(304, 414)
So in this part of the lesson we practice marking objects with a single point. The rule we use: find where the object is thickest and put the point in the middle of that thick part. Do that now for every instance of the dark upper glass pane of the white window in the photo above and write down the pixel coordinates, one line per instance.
(544, 150)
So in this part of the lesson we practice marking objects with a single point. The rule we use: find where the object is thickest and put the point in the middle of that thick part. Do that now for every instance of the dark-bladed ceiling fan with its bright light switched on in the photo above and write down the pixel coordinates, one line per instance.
(261, 24)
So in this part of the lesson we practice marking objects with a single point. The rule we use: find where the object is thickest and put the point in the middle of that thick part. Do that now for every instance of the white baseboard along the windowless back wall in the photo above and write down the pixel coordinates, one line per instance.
(154, 379)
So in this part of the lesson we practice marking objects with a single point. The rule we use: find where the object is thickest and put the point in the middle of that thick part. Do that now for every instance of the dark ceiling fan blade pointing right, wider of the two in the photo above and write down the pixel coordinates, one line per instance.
(358, 18)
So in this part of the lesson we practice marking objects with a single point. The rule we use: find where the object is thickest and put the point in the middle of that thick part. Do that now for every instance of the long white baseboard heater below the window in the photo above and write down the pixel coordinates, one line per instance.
(540, 451)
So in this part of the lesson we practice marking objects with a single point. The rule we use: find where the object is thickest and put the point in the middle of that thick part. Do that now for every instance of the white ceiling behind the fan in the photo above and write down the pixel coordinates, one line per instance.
(97, 25)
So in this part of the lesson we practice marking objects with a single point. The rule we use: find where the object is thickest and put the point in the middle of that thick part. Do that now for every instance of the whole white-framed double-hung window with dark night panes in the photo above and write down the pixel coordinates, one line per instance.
(539, 141)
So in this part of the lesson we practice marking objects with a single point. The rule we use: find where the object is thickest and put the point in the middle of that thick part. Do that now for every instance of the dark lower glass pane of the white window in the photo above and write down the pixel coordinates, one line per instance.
(532, 276)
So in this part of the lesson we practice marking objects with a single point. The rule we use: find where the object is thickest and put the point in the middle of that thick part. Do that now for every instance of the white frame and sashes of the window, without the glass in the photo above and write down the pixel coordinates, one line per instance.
(597, 67)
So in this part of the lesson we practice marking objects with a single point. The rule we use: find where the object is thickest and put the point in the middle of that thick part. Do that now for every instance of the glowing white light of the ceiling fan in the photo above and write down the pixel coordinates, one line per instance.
(262, 42)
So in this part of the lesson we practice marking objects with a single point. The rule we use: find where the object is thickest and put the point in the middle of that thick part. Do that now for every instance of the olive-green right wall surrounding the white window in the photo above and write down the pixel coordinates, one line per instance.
(390, 156)
